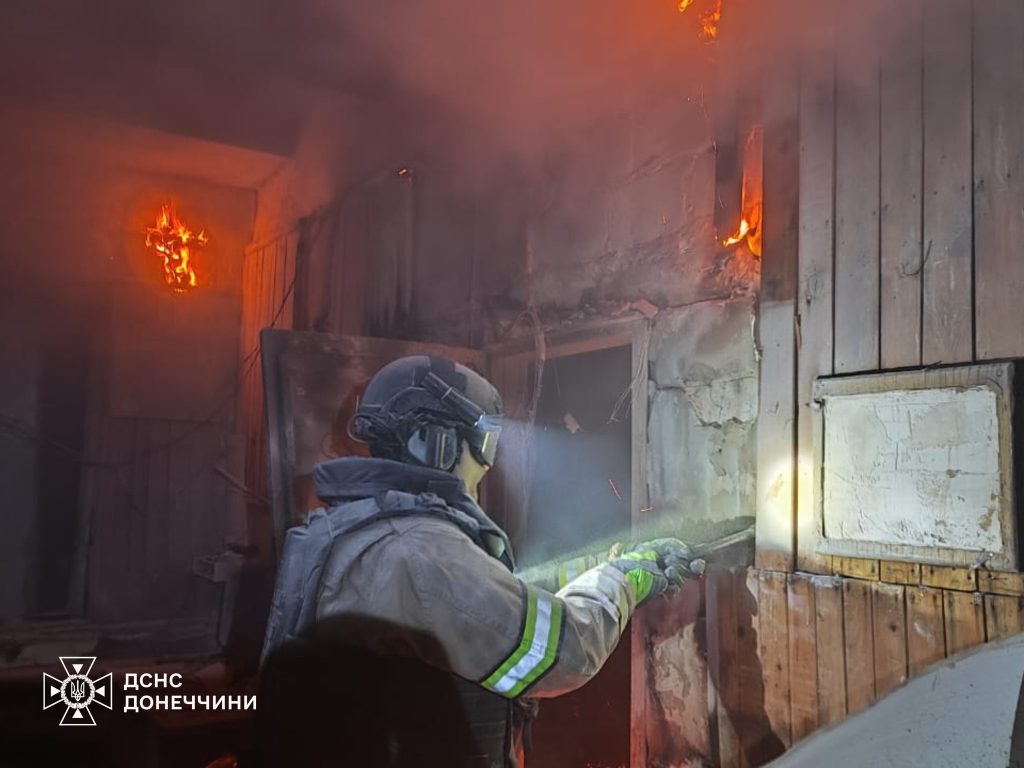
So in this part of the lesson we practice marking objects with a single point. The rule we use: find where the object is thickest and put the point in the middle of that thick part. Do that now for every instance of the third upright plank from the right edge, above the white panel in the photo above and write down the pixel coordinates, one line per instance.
(901, 229)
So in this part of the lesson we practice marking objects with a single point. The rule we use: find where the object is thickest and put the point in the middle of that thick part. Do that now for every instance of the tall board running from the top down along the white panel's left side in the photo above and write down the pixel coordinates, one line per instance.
(815, 302)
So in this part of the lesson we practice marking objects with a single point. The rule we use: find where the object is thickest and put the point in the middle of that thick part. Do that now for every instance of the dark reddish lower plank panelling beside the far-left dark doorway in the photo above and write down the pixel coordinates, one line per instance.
(156, 503)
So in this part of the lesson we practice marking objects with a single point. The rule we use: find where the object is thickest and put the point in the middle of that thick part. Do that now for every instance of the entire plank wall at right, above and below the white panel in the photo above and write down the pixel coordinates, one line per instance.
(910, 245)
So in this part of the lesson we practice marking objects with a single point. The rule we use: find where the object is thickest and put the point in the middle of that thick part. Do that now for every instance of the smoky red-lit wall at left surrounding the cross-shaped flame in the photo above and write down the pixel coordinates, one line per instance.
(117, 392)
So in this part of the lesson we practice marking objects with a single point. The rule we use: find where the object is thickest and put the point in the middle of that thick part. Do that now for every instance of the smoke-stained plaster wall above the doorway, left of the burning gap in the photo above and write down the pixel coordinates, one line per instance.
(628, 214)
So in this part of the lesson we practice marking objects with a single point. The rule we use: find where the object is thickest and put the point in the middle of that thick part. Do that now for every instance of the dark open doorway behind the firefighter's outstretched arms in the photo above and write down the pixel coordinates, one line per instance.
(581, 494)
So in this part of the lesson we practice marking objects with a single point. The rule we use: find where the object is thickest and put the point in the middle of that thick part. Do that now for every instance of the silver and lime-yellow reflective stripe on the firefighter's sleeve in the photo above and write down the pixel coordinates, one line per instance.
(537, 651)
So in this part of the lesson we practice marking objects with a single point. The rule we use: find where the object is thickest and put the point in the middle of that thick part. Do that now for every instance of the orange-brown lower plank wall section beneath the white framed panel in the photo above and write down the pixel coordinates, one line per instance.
(791, 653)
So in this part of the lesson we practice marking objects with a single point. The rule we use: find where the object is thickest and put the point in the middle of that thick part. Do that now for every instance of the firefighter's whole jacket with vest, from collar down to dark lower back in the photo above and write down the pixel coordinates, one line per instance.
(406, 566)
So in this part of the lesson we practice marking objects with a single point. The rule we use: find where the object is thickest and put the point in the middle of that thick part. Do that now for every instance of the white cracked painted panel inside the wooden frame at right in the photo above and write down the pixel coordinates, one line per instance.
(914, 467)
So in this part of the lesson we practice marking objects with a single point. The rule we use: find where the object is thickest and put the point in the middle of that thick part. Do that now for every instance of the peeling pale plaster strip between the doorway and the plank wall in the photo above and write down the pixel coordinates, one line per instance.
(702, 454)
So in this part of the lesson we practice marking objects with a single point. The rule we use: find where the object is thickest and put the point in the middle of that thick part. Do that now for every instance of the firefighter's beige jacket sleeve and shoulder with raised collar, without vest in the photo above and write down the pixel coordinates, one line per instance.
(457, 607)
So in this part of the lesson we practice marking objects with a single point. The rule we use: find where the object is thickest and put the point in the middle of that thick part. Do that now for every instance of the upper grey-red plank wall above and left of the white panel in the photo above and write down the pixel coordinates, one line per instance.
(908, 242)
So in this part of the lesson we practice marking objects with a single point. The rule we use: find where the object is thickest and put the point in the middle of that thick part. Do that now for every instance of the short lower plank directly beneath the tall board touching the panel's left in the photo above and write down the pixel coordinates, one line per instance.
(803, 657)
